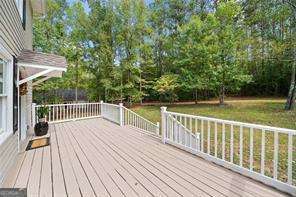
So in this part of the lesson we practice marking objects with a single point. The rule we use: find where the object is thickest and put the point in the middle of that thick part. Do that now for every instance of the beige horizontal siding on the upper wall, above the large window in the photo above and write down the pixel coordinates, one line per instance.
(11, 30)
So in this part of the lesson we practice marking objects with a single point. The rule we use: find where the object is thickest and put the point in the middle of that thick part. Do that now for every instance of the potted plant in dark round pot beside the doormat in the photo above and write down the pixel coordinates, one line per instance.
(41, 128)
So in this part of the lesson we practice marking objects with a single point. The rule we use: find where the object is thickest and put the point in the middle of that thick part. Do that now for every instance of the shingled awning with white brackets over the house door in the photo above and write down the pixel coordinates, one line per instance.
(33, 65)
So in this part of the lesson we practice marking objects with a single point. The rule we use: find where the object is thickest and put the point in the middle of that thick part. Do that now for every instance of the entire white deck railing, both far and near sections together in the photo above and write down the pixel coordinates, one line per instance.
(261, 152)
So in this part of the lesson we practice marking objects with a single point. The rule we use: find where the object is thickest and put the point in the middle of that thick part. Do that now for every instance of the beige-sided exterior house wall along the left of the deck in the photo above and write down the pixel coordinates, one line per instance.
(13, 39)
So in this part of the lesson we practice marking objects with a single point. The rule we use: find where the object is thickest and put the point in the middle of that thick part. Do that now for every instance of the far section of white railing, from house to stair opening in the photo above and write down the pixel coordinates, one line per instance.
(112, 112)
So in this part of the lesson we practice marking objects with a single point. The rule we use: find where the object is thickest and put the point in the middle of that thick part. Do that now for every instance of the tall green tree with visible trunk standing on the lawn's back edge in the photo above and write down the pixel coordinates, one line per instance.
(228, 72)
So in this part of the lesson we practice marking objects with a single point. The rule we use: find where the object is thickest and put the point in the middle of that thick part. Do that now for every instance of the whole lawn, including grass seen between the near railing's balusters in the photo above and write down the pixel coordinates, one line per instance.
(260, 111)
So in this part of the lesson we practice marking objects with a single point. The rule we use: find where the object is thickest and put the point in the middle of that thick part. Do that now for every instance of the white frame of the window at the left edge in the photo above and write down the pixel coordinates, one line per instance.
(6, 114)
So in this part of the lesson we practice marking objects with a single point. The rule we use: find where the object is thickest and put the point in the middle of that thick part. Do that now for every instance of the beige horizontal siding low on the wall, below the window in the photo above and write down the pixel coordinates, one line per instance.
(8, 154)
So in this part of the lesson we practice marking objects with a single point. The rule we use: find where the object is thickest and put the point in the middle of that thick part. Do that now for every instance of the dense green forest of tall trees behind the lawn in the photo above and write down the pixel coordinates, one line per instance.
(169, 50)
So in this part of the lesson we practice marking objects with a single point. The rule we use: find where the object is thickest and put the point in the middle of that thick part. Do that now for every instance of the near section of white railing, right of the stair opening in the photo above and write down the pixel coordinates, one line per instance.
(261, 152)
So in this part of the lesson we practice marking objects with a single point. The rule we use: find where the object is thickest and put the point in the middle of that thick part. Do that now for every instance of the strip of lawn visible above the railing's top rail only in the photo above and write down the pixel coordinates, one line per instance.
(261, 111)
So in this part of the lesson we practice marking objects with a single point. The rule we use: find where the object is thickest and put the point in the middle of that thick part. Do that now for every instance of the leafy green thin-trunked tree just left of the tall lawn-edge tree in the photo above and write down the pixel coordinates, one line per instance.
(197, 46)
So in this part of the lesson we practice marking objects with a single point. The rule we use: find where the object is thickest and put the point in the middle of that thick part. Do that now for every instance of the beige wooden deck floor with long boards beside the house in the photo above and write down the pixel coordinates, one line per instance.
(95, 157)
